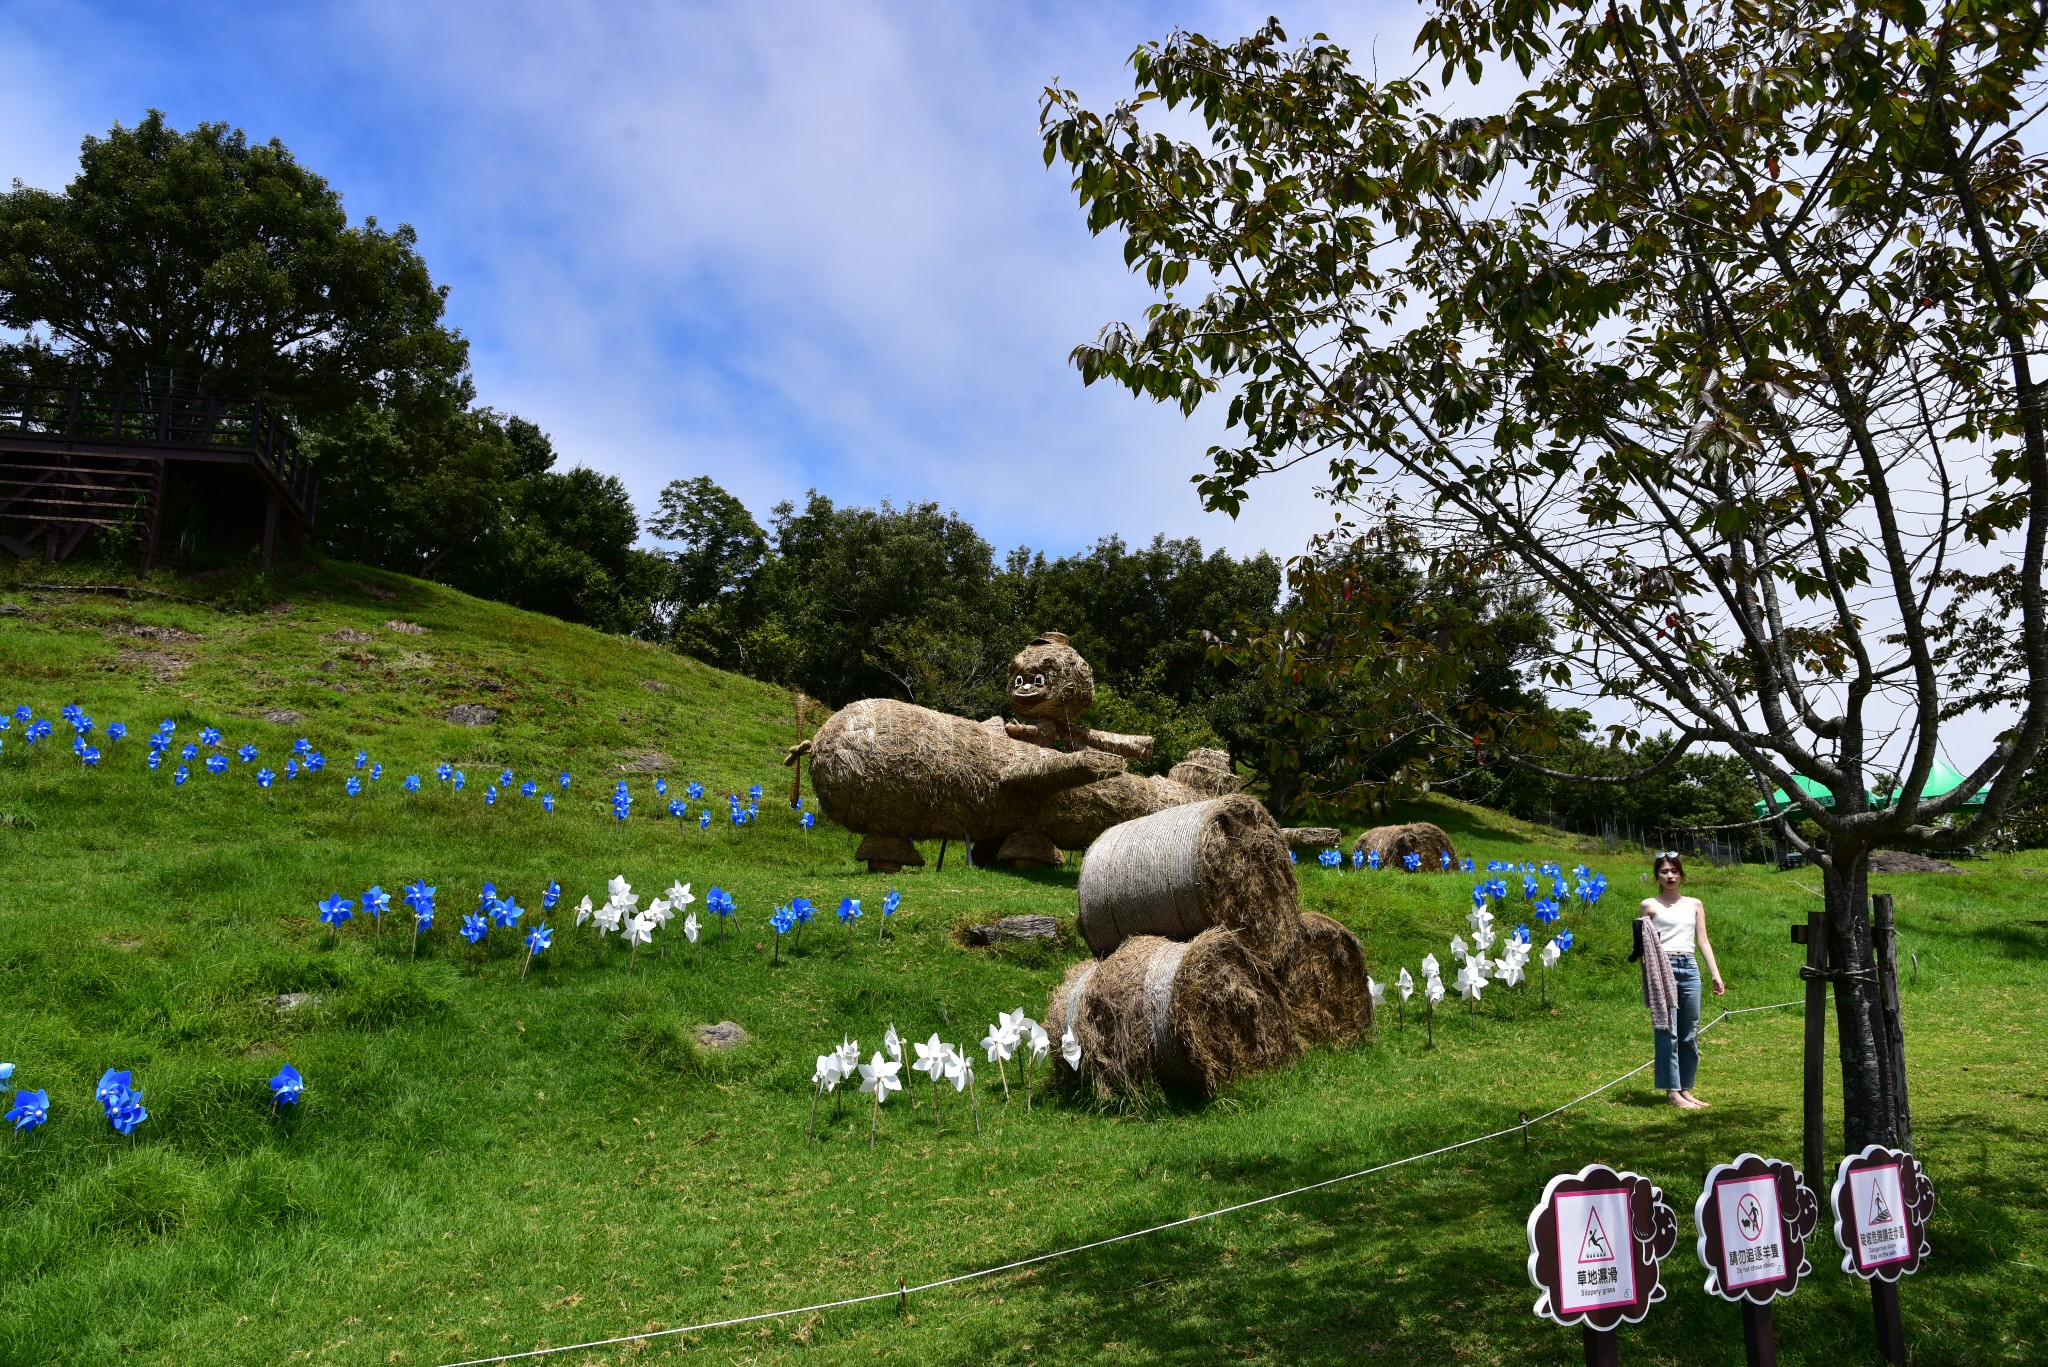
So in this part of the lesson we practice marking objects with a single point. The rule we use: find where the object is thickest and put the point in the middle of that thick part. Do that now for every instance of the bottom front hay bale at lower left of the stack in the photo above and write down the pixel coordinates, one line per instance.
(1187, 1016)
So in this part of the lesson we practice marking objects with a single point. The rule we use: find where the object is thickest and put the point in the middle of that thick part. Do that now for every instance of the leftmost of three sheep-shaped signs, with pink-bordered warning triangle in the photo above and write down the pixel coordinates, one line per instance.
(1596, 1243)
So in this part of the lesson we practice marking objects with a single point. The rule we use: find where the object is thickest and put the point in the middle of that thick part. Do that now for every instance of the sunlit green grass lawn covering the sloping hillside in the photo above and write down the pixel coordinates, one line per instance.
(488, 1165)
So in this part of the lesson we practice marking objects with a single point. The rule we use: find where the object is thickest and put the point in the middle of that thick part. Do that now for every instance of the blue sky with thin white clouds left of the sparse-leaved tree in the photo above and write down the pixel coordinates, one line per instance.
(781, 245)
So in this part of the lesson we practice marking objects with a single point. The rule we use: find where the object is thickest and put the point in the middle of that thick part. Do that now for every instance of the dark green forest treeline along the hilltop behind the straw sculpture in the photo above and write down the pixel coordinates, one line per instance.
(206, 261)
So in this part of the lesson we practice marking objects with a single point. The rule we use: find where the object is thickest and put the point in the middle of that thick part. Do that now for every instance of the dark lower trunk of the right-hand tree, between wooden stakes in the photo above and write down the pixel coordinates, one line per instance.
(1869, 1110)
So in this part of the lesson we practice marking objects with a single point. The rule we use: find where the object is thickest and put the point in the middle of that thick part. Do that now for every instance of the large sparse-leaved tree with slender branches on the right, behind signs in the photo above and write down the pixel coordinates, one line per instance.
(1721, 323)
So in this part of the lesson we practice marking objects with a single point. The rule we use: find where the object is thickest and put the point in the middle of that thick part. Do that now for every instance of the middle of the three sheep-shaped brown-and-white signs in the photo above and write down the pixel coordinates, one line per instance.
(1754, 1218)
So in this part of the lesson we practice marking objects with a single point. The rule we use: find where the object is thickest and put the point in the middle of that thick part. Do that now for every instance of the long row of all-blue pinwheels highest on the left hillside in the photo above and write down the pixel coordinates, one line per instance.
(212, 755)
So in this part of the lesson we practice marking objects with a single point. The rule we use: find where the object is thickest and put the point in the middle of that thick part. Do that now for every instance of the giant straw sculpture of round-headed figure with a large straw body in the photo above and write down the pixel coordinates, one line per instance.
(1017, 792)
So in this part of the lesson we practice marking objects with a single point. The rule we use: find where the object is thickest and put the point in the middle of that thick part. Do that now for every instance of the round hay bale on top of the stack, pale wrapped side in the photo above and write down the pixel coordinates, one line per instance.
(1185, 870)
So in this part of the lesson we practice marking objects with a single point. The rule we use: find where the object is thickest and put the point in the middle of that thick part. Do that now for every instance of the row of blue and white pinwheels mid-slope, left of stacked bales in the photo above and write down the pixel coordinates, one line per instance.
(622, 913)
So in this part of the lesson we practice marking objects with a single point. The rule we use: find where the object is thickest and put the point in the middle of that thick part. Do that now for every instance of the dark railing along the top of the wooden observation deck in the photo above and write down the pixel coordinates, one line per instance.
(169, 421)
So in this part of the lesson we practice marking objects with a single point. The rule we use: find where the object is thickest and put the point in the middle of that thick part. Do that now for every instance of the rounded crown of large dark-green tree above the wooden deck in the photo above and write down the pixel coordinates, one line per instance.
(212, 261)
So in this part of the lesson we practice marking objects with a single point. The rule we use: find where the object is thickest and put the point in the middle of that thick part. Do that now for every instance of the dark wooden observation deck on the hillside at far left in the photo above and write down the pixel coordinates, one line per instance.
(75, 458)
